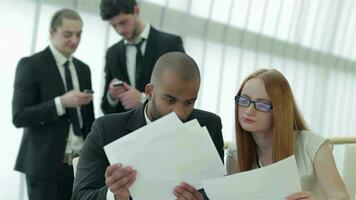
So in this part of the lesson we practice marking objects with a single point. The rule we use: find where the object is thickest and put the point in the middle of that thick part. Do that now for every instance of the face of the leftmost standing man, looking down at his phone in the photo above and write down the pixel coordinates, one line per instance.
(67, 37)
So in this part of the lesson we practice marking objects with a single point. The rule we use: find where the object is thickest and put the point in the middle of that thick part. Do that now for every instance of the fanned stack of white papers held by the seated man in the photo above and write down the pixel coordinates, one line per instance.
(164, 157)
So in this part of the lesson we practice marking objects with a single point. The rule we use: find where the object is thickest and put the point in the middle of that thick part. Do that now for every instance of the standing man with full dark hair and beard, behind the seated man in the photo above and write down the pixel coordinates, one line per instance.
(131, 60)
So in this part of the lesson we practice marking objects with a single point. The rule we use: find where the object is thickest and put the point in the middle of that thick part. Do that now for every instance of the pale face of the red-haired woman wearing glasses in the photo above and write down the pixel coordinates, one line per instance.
(250, 119)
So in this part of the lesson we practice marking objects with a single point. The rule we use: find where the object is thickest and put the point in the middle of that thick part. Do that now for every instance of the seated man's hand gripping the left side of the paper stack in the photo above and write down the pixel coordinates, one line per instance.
(119, 179)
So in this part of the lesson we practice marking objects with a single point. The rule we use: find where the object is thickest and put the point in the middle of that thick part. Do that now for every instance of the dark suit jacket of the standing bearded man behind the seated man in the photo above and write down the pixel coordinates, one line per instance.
(158, 43)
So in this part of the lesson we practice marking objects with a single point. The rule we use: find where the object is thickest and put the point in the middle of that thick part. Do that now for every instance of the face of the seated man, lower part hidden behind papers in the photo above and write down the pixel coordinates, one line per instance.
(171, 95)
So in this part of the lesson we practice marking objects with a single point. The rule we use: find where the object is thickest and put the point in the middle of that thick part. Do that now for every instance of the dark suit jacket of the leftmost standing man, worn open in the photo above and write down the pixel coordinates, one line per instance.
(37, 83)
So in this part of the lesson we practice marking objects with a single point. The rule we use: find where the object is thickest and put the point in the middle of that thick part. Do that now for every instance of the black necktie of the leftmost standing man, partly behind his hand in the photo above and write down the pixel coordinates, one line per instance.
(72, 111)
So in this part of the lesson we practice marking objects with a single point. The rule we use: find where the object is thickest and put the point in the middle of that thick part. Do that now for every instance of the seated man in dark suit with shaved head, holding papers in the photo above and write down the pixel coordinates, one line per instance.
(174, 87)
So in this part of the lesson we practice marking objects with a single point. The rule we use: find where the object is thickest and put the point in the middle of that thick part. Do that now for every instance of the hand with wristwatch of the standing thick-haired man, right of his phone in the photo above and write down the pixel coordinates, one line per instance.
(130, 98)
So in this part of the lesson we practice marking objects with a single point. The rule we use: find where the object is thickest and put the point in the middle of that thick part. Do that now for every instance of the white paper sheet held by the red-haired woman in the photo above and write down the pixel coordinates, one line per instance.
(275, 181)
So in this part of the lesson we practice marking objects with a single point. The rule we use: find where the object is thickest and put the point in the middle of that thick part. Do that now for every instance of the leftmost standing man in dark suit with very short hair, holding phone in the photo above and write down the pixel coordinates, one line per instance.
(55, 114)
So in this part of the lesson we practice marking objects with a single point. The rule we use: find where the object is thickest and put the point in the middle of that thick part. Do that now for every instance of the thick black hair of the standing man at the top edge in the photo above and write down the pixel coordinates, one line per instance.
(111, 8)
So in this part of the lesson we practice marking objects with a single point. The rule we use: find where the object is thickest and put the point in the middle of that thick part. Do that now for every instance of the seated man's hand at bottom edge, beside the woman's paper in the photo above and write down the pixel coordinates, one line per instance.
(186, 192)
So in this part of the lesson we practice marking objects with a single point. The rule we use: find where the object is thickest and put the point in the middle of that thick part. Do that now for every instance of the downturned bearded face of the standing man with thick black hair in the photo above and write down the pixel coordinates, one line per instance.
(127, 25)
